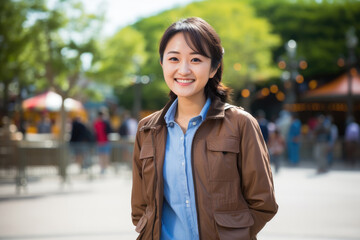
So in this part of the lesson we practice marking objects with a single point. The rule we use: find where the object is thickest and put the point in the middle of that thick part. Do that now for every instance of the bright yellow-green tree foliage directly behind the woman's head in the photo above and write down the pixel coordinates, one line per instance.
(247, 41)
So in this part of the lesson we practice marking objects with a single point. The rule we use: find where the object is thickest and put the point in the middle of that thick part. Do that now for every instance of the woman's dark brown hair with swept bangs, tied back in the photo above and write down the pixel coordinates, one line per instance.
(202, 38)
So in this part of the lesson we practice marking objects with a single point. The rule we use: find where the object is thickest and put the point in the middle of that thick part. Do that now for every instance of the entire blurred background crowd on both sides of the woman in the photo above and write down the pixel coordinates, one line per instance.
(289, 140)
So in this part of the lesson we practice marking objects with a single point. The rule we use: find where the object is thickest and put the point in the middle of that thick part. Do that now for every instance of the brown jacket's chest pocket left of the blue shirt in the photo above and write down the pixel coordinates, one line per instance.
(148, 170)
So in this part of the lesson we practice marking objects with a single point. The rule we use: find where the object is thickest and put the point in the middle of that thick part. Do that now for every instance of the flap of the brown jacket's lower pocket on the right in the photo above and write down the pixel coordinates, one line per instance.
(240, 219)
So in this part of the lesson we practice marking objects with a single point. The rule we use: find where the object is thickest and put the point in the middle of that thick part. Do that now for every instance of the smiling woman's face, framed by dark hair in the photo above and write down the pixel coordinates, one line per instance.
(186, 72)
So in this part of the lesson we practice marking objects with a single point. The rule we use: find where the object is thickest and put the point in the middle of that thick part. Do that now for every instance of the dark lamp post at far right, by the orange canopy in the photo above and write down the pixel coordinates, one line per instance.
(351, 42)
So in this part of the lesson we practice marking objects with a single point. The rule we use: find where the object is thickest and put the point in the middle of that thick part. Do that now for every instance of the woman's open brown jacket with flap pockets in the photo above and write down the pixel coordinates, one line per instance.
(232, 176)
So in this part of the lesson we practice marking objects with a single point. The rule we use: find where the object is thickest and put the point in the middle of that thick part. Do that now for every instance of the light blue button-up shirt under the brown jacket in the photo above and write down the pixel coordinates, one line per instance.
(179, 217)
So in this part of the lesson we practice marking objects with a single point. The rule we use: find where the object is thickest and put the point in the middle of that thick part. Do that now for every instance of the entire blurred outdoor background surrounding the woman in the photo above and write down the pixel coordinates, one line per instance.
(77, 76)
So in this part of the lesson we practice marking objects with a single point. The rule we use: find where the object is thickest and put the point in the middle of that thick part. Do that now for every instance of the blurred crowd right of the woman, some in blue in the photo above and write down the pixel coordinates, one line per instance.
(287, 137)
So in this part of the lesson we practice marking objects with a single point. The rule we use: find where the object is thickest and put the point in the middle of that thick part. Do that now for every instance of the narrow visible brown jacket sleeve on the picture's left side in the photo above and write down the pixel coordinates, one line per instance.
(138, 204)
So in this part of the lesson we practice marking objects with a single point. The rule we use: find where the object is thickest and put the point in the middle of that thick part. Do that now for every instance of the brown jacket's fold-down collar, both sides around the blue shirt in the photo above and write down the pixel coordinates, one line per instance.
(216, 110)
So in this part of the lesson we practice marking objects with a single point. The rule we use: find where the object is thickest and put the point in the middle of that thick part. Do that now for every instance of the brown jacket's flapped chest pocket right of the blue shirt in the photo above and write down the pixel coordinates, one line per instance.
(222, 156)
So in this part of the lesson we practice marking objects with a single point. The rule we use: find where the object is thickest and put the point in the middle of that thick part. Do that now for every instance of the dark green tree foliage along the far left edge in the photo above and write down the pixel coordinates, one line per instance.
(14, 49)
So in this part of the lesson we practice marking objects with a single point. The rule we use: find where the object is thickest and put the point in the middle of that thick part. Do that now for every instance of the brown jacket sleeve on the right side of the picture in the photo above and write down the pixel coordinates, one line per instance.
(257, 182)
